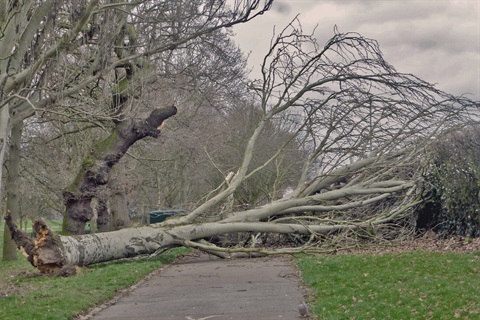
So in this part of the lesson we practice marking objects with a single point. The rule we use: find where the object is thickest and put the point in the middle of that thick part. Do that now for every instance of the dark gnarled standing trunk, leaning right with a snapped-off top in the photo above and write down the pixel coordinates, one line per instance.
(97, 165)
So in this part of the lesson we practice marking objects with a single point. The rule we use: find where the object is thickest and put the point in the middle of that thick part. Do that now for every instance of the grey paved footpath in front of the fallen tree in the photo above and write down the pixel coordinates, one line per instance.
(200, 287)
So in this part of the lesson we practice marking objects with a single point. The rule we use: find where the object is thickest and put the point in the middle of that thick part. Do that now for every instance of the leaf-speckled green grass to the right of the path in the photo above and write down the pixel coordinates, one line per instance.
(414, 285)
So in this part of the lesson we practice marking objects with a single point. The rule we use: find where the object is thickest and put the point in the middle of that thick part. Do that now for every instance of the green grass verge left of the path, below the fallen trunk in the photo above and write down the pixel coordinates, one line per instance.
(30, 296)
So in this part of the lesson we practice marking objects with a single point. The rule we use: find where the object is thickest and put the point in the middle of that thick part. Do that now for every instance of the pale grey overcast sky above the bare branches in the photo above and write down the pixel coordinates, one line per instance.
(436, 40)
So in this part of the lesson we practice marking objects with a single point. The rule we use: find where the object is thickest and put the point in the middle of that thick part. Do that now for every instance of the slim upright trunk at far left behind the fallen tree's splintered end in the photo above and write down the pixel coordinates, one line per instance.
(13, 199)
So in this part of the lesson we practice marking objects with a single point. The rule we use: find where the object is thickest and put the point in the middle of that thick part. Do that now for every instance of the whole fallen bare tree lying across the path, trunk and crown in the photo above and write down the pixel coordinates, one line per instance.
(364, 127)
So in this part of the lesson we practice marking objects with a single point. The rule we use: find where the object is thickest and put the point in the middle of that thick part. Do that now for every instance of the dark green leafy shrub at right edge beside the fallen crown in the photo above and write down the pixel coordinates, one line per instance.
(453, 179)
